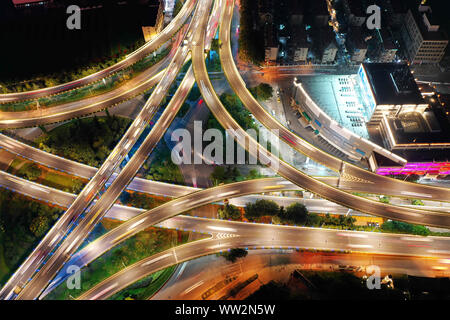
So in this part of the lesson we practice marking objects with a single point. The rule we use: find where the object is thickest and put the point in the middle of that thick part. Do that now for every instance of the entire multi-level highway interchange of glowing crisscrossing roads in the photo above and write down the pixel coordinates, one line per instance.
(190, 34)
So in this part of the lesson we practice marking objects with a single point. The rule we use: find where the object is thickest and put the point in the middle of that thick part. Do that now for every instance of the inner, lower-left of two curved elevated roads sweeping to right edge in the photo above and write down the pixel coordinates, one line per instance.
(290, 173)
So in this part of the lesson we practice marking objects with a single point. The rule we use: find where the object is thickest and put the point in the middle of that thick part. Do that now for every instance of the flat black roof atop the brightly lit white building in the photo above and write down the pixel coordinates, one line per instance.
(392, 83)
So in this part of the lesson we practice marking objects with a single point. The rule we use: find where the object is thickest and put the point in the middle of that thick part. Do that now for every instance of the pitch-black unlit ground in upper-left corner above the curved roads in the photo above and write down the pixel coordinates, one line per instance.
(37, 42)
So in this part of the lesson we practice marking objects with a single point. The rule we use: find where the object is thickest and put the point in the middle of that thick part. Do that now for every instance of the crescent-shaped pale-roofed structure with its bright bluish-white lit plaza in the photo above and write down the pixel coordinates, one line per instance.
(331, 106)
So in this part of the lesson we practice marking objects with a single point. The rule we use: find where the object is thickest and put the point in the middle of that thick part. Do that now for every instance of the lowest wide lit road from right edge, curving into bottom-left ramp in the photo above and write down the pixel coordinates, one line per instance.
(268, 237)
